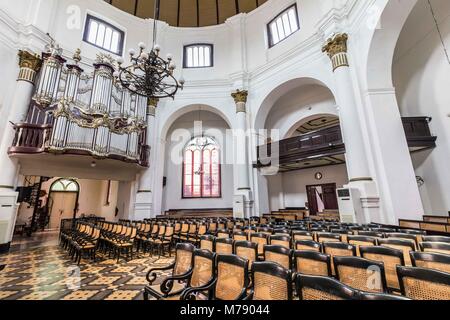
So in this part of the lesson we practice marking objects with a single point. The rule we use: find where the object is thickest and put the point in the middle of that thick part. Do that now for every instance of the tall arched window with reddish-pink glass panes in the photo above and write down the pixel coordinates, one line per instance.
(201, 169)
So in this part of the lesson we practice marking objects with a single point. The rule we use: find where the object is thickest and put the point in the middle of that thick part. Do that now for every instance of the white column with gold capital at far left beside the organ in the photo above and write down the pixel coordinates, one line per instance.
(29, 66)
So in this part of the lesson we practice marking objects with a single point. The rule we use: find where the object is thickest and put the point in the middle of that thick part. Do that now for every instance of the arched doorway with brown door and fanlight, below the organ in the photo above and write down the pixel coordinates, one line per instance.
(62, 201)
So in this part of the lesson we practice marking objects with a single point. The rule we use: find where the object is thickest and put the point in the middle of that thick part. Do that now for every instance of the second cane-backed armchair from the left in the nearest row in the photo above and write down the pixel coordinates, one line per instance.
(199, 279)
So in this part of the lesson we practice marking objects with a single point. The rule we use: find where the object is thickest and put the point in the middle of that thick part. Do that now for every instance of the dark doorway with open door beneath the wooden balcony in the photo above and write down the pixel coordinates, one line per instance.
(321, 198)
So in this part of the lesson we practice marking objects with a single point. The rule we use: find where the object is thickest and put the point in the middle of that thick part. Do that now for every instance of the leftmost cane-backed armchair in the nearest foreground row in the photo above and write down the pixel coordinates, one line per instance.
(182, 266)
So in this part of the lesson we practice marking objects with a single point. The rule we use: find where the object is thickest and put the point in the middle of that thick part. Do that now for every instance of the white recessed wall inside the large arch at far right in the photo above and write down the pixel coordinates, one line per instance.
(422, 76)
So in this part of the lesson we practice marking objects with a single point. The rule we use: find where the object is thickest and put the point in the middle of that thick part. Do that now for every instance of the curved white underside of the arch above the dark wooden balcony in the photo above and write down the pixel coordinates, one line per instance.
(279, 91)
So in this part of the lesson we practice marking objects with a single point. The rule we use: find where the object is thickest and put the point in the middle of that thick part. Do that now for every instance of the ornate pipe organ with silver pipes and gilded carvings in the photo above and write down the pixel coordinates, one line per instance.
(90, 113)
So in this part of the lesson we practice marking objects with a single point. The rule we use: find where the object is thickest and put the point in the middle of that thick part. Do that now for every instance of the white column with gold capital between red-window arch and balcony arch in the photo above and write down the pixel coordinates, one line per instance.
(243, 200)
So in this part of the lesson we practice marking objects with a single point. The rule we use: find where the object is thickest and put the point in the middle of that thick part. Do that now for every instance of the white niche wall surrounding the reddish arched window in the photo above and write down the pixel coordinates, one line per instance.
(213, 126)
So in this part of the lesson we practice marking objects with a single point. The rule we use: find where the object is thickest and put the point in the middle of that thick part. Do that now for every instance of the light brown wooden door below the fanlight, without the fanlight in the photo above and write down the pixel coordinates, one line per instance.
(63, 207)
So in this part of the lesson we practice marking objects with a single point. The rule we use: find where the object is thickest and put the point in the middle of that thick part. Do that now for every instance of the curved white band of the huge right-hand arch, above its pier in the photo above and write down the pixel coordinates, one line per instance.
(384, 40)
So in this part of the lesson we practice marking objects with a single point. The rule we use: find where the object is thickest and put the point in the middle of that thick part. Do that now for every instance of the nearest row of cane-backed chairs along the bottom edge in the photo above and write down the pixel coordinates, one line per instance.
(202, 274)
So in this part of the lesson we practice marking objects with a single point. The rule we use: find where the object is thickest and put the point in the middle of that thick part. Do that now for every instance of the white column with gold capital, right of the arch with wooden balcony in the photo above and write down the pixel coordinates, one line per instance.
(360, 178)
